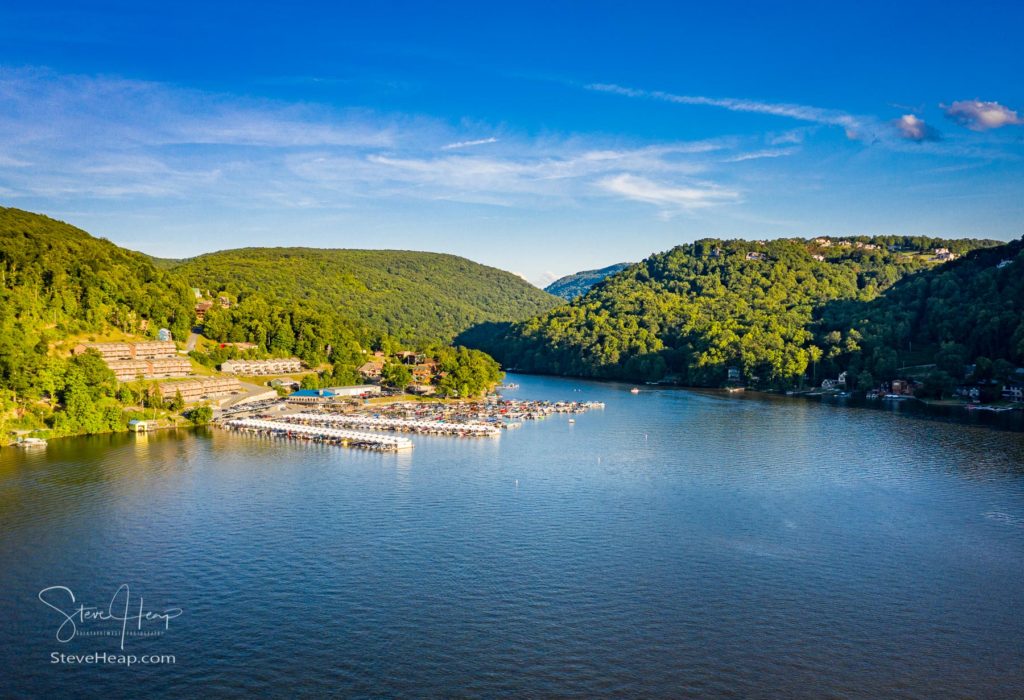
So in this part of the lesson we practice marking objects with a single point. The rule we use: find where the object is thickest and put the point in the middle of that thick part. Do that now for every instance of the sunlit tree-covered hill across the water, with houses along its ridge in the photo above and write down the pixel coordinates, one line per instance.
(693, 313)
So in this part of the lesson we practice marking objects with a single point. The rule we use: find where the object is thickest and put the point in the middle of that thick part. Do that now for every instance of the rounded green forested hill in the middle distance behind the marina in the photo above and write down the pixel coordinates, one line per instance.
(412, 297)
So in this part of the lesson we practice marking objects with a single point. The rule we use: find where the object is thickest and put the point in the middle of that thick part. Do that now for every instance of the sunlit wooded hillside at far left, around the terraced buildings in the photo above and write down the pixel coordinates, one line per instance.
(56, 282)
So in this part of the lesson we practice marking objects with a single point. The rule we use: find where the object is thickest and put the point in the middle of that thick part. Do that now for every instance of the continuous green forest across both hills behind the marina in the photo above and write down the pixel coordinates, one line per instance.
(60, 285)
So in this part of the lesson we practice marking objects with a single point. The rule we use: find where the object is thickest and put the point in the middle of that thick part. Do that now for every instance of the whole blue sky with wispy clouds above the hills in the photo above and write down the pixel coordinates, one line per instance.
(541, 139)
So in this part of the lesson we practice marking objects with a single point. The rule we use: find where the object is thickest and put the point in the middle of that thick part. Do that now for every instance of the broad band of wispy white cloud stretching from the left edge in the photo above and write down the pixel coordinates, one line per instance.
(76, 138)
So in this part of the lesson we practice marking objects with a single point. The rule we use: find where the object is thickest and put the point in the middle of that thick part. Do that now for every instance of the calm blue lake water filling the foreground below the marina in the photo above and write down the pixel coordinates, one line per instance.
(676, 544)
